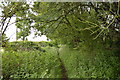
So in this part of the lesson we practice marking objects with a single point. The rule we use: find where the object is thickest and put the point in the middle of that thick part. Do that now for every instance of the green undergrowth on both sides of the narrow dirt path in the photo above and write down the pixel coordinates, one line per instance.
(41, 60)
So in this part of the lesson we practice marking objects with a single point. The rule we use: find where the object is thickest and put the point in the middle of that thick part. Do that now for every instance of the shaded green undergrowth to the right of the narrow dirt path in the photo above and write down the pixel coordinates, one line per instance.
(99, 63)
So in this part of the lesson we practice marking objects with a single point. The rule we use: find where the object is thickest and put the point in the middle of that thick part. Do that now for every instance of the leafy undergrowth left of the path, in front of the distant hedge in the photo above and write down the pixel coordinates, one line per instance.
(32, 64)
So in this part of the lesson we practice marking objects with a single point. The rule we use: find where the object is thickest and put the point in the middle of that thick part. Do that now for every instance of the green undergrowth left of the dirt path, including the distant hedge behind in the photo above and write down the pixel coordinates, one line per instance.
(30, 60)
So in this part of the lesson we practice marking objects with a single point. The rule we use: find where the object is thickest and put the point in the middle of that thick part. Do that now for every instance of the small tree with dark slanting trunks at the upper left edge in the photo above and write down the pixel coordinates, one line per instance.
(9, 10)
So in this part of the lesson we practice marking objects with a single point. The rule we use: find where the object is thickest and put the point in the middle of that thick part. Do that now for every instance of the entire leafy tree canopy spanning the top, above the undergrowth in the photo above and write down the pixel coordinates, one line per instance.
(68, 22)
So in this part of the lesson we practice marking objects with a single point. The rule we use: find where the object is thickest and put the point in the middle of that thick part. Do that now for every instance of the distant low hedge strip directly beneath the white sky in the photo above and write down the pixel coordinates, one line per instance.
(29, 45)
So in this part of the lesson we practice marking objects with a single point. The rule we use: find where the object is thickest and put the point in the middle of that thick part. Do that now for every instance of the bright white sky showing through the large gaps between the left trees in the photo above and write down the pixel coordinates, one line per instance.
(11, 32)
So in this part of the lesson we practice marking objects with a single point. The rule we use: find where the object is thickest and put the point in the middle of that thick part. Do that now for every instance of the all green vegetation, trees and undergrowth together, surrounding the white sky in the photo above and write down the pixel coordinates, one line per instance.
(85, 40)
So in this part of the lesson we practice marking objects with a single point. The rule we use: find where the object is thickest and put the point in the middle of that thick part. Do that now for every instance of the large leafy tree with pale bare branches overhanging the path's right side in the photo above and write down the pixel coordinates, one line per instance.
(75, 22)
